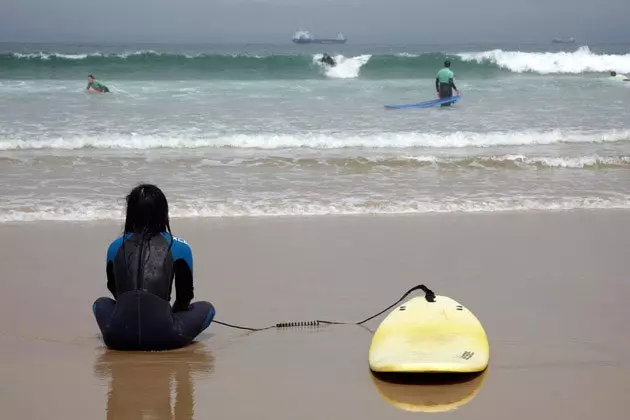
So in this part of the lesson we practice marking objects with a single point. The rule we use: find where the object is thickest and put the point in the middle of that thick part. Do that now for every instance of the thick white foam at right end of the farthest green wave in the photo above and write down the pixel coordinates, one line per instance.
(580, 61)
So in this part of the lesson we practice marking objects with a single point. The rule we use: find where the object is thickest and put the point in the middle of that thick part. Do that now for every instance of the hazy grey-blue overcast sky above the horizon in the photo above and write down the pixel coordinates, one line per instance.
(362, 21)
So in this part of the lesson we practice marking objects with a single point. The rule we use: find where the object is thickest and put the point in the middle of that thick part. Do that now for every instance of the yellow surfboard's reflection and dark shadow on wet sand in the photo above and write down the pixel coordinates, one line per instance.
(429, 393)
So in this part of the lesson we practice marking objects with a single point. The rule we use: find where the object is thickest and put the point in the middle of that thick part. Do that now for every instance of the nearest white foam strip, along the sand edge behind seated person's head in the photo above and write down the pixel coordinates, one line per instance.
(95, 210)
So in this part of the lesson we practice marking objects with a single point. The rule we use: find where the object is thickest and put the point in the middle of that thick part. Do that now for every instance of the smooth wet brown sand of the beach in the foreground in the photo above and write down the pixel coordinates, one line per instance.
(550, 289)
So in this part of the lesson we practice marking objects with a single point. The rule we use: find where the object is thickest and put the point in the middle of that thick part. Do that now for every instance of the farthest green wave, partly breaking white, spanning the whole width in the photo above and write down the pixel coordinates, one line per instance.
(155, 65)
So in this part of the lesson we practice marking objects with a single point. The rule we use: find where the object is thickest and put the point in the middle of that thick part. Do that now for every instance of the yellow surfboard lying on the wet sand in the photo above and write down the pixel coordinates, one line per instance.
(421, 336)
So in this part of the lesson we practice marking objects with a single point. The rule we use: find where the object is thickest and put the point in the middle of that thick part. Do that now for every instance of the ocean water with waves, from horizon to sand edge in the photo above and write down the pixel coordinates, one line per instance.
(265, 130)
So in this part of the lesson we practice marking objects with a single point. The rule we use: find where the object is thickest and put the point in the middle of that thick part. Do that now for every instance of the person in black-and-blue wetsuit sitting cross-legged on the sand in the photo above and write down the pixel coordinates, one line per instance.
(140, 267)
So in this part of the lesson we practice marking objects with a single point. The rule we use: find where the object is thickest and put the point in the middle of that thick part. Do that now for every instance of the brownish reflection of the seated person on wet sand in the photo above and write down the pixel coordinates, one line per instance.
(140, 383)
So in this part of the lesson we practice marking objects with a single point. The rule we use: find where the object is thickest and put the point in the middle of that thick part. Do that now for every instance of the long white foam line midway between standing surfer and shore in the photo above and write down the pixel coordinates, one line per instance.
(457, 139)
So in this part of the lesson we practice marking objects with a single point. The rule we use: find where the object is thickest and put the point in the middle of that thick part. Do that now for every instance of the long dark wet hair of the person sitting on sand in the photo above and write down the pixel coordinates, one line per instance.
(147, 211)
